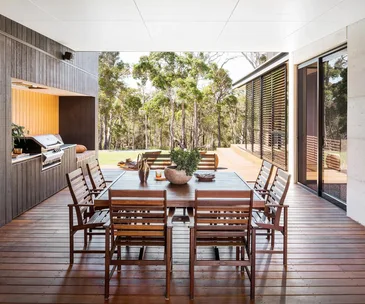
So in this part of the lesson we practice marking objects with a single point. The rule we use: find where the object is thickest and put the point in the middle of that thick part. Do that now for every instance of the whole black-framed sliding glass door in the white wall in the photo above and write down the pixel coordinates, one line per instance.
(322, 125)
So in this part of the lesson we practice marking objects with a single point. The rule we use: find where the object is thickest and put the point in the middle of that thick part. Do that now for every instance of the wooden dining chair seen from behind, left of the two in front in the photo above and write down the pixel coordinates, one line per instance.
(137, 218)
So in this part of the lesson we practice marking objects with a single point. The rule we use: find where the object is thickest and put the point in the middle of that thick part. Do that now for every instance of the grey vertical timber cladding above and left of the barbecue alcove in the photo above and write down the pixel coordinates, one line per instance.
(27, 55)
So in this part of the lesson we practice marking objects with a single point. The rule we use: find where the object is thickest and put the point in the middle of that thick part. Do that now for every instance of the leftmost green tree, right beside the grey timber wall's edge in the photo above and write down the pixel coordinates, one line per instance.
(112, 71)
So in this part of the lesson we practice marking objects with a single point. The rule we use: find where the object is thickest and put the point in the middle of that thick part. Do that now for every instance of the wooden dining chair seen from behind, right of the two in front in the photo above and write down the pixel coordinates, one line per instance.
(223, 218)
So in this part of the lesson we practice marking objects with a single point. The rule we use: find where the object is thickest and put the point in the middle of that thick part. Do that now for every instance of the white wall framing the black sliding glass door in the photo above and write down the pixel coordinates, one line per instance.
(354, 35)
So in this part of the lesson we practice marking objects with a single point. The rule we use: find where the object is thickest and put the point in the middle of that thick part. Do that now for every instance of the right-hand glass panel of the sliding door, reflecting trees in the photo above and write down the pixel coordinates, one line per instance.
(334, 151)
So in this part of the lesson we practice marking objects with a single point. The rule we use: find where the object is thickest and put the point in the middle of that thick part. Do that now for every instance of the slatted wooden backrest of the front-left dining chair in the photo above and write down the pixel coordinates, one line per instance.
(138, 213)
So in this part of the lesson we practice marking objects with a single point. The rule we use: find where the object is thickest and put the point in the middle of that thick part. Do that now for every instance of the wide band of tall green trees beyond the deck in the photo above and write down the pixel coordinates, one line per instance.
(191, 101)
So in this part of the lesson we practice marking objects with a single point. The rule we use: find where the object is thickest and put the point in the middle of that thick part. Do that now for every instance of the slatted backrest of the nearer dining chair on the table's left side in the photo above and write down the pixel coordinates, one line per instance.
(80, 193)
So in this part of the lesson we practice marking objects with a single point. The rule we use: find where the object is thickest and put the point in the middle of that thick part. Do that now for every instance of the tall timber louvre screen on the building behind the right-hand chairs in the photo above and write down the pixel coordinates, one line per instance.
(266, 117)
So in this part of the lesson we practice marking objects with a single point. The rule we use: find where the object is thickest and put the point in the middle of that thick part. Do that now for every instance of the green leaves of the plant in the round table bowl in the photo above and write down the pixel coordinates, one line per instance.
(186, 160)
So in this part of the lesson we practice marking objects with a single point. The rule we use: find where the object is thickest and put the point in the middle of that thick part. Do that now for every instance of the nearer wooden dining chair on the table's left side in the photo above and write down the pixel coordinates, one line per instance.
(88, 219)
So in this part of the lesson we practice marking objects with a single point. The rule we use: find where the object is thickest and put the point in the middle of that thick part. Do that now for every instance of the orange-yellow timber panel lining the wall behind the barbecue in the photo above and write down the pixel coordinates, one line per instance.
(38, 113)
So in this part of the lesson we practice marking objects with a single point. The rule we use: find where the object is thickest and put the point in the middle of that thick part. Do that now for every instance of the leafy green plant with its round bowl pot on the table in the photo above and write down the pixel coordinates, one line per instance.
(185, 163)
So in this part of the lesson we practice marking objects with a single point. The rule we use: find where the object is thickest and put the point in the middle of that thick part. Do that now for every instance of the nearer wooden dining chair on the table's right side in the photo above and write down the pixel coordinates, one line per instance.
(271, 219)
